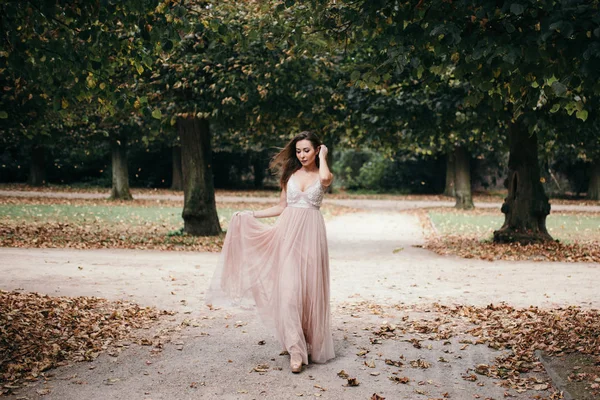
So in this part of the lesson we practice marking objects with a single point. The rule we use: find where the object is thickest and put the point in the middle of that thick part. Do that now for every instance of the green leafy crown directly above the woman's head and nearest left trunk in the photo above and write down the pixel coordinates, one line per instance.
(241, 66)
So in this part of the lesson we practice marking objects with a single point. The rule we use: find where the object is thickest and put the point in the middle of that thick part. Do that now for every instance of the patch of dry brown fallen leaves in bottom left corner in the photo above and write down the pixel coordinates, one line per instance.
(39, 332)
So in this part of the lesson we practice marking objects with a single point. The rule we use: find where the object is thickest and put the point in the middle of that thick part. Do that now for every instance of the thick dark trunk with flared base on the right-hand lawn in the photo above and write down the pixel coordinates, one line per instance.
(526, 206)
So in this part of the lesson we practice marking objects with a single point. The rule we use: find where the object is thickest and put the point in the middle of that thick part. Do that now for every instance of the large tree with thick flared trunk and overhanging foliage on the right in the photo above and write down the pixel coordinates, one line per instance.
(499, 48)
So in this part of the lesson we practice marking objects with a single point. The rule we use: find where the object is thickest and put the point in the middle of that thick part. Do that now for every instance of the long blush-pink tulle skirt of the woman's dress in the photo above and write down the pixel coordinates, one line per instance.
(284, 270)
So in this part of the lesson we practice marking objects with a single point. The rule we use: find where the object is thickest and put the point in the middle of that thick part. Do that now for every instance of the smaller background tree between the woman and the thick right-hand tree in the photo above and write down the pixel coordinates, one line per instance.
(412, 116)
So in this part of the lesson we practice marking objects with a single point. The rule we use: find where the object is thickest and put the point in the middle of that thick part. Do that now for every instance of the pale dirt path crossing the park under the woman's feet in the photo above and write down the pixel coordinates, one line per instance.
(213, 353)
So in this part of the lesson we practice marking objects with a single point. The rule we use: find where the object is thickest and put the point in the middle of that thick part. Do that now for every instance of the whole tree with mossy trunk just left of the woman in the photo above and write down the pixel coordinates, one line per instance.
(232, 73)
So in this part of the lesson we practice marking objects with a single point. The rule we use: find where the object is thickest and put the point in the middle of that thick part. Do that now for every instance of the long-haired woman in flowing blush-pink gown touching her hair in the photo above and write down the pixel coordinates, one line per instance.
(284, 269)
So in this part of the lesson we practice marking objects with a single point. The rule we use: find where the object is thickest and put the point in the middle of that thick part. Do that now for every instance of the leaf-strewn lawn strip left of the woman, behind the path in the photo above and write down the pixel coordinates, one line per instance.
(86, 224)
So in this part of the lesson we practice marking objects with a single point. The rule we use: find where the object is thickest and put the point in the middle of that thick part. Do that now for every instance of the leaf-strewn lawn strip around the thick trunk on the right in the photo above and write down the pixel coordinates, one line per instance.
(468, 234)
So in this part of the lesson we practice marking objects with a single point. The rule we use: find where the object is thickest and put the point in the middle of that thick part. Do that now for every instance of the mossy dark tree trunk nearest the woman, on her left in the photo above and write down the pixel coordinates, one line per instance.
(199, 209)
